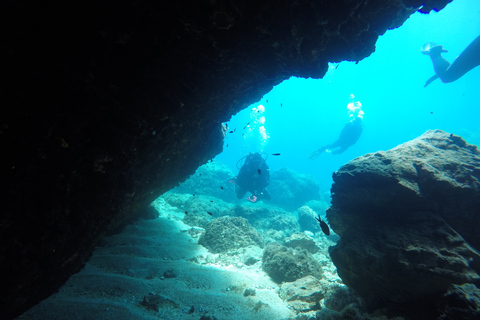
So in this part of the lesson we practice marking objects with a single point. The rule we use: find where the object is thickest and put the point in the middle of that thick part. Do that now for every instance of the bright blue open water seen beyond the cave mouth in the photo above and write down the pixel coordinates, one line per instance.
(303, 114)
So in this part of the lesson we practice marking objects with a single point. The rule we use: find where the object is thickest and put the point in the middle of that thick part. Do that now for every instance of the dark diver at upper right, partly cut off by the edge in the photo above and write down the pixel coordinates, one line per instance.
(449, 72)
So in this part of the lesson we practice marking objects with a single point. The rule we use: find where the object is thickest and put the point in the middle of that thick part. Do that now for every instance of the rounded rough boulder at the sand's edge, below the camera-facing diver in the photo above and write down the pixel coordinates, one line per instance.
(229, 233)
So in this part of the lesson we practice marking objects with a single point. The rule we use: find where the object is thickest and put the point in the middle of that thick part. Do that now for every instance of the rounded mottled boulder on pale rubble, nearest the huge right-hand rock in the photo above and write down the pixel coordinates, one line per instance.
(287, 265)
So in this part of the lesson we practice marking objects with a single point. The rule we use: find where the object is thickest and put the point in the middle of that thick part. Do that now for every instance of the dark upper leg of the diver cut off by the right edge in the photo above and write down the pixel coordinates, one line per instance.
(466, 61)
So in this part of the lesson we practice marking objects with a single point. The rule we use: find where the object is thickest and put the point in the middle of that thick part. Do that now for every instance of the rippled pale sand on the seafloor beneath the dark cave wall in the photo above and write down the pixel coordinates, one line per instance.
(155, 270)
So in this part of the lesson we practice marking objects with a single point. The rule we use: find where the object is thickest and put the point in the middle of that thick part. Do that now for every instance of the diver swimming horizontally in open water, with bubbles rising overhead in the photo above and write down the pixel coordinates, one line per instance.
(349, 134)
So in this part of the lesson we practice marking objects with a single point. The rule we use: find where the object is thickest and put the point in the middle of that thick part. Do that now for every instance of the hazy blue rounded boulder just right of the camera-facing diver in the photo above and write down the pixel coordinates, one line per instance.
(291, 190)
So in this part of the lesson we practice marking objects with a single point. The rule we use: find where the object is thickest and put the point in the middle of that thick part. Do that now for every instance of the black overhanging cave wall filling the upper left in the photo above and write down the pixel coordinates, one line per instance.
(105, 105)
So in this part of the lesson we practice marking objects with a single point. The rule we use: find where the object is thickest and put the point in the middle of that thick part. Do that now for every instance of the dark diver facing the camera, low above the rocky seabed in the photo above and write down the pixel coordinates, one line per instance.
(254, 177)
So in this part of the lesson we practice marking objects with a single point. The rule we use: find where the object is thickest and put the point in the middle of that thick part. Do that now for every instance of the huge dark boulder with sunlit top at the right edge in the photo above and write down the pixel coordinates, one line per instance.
(408, 220)
